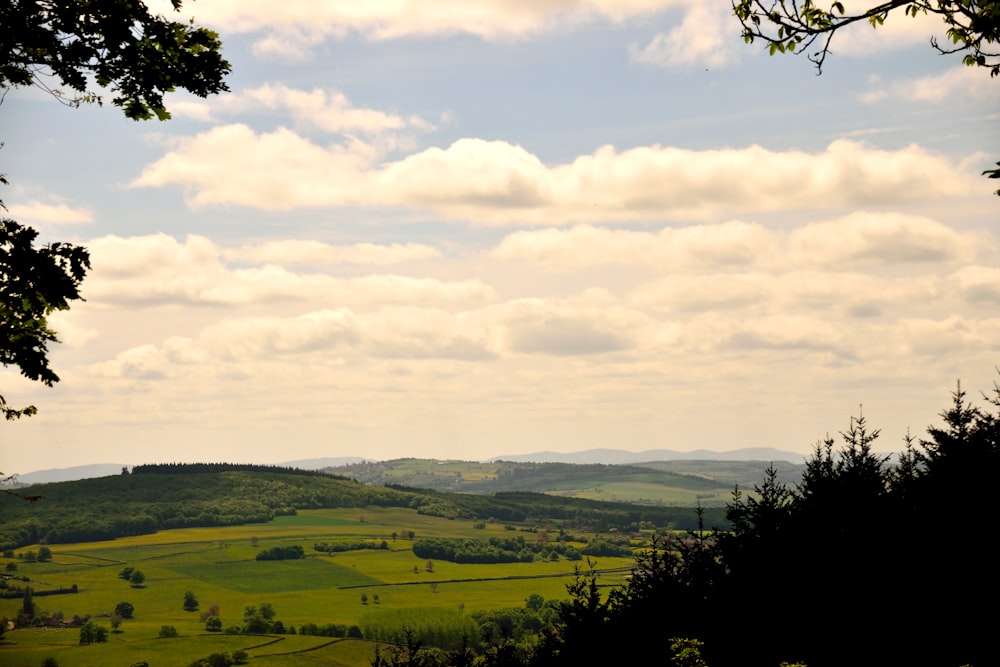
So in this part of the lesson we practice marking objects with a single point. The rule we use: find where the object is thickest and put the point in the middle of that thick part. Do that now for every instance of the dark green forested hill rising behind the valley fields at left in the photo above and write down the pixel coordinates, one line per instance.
(155, 498)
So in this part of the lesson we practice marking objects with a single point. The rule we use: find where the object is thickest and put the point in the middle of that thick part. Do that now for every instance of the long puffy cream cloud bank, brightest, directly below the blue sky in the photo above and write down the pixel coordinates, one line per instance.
(496, 183)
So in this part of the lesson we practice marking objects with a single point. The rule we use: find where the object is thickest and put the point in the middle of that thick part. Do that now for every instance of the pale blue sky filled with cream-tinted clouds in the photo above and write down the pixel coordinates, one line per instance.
(461, 230)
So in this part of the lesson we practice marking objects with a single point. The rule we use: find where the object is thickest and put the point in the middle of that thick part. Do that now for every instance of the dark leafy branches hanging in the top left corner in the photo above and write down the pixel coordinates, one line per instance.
(116, 43)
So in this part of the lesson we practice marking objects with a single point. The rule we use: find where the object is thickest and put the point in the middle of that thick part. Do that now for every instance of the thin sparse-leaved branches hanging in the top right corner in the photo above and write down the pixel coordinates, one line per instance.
(973, 26)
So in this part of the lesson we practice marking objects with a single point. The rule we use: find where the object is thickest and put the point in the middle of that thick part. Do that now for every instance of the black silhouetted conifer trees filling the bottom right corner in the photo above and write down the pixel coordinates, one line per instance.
(844, 538)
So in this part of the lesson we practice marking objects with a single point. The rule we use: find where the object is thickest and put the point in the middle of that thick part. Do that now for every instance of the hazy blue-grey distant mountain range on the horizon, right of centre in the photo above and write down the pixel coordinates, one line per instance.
(623, 457)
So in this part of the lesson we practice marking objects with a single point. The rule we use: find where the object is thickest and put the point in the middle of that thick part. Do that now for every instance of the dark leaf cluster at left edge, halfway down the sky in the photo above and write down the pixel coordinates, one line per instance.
(34, 283)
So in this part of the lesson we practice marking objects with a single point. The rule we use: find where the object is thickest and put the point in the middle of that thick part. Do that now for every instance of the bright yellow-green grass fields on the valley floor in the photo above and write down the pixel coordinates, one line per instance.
(218, 565)
